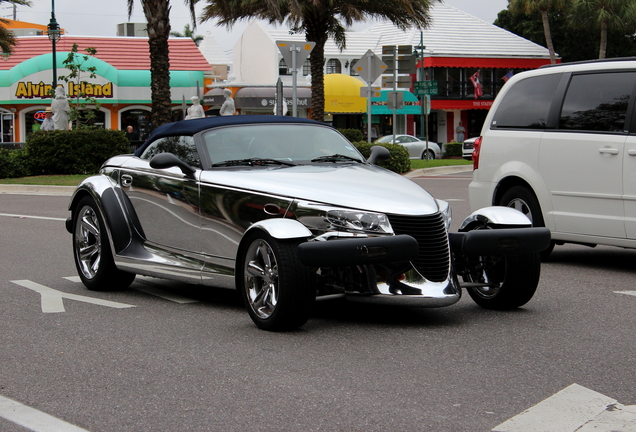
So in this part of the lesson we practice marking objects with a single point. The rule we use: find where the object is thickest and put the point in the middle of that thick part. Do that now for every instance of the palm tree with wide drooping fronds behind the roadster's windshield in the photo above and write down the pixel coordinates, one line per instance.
(320, 20)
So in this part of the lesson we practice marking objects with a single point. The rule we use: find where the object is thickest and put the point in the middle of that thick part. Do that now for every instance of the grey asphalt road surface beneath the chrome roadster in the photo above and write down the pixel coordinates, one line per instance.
(197, 363)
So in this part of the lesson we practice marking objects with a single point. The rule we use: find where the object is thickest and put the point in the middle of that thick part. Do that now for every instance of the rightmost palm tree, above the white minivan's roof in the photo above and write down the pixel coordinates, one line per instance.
(603, 15)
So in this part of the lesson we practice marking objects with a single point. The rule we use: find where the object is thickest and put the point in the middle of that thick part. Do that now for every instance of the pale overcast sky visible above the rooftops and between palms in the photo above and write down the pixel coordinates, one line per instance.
(100, 17)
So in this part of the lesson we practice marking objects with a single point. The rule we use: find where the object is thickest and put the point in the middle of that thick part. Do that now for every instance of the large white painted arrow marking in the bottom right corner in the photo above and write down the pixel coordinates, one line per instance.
(574, 408)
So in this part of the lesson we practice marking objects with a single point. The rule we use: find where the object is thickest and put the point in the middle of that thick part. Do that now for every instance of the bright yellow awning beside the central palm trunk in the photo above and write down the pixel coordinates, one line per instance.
(342, 94)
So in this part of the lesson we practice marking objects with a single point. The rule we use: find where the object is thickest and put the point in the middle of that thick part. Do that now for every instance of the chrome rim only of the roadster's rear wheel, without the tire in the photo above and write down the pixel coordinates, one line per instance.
(88, 243)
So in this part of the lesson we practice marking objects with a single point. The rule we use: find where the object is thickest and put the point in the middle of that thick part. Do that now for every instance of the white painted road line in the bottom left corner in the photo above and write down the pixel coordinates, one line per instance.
(32, 419)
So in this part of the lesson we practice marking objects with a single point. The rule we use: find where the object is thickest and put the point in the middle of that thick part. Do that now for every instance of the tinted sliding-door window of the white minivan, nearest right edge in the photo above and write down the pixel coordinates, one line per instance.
(597, 102)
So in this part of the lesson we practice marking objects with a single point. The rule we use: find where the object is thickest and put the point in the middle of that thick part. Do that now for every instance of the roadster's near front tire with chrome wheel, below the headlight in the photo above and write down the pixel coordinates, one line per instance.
(276, 288)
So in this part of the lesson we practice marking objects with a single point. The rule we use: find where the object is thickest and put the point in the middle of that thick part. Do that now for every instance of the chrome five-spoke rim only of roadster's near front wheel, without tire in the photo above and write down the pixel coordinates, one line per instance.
(261, 278)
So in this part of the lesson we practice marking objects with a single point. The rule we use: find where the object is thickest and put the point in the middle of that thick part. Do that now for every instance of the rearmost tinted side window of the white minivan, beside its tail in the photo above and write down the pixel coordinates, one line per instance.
(527, 104)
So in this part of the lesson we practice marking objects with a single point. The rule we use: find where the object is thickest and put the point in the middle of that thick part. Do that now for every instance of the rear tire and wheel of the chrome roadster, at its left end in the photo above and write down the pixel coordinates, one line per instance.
(91, 250)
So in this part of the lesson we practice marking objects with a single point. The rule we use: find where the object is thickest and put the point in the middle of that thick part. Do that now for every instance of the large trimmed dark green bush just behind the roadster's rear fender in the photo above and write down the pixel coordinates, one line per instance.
(80, 151)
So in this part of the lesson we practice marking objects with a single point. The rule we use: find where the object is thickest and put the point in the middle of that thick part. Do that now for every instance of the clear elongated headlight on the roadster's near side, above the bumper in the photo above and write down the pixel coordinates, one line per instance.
(326, 218)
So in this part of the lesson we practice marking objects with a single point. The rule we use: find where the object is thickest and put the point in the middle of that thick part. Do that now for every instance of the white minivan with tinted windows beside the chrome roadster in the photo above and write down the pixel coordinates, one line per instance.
(559, 144)
